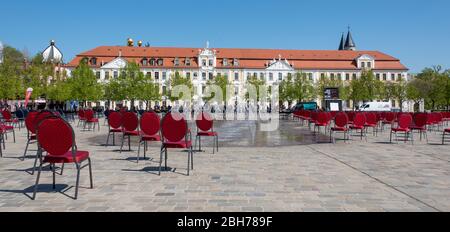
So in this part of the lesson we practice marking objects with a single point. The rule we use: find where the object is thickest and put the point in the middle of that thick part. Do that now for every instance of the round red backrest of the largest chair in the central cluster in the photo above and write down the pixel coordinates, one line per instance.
(174, 127)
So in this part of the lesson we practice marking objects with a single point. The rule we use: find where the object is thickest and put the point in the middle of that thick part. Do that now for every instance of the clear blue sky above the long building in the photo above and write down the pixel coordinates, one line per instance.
(417, 32)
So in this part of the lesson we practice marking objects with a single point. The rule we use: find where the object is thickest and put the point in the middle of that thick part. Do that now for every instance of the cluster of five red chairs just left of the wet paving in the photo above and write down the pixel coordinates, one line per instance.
(172, 131)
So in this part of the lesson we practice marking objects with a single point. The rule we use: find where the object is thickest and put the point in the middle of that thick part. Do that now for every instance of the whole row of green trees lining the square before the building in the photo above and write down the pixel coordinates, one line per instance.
(431, 85)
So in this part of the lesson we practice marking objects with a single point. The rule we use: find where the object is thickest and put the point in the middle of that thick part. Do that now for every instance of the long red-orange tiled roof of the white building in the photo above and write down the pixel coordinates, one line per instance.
(248, 58)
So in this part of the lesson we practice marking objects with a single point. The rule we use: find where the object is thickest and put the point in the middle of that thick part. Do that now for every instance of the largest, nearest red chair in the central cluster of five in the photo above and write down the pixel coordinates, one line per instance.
(176, 134)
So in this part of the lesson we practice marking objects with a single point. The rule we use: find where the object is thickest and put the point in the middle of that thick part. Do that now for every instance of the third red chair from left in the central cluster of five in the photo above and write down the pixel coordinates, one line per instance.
(149, 125)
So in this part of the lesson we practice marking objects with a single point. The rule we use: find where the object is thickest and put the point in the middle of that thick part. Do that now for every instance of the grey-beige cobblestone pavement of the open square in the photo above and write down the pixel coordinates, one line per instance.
(356, 176)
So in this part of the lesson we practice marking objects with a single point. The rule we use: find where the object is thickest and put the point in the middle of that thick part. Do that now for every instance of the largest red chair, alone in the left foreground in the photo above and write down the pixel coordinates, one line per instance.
(57, 138)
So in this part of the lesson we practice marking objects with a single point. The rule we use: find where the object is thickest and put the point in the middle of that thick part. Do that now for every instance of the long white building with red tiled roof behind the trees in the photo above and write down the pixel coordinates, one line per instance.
(270, 65)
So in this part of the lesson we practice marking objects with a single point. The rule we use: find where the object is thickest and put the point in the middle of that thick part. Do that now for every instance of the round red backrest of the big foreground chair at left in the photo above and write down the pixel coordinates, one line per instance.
(55, 136)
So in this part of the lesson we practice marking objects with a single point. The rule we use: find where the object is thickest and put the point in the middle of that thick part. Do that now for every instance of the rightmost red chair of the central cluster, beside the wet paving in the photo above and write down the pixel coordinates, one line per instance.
(205, 128)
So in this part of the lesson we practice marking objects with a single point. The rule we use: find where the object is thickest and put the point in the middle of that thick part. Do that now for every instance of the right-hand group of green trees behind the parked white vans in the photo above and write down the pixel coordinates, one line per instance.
(432, 86)
